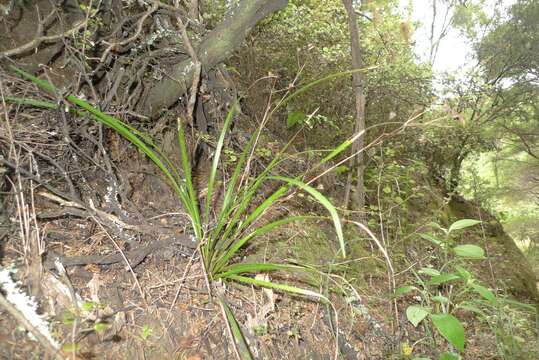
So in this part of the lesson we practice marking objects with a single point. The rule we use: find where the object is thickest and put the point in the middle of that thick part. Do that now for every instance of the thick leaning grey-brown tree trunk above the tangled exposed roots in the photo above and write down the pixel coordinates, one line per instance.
(215, 48)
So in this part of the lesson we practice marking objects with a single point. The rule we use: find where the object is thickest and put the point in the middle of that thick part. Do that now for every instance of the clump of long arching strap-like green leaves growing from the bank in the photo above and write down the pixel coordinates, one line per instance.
(221, 230)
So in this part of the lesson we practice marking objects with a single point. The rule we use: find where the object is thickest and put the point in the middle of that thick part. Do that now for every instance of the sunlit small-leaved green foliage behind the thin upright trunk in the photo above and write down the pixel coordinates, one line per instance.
(311, 38)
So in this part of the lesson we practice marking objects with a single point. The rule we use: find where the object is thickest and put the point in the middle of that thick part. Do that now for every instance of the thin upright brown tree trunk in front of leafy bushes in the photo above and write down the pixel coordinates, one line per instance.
(357, 83)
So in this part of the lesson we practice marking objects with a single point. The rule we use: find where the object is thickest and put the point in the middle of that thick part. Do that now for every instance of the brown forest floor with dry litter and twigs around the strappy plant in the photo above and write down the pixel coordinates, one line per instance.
(134, 286)
